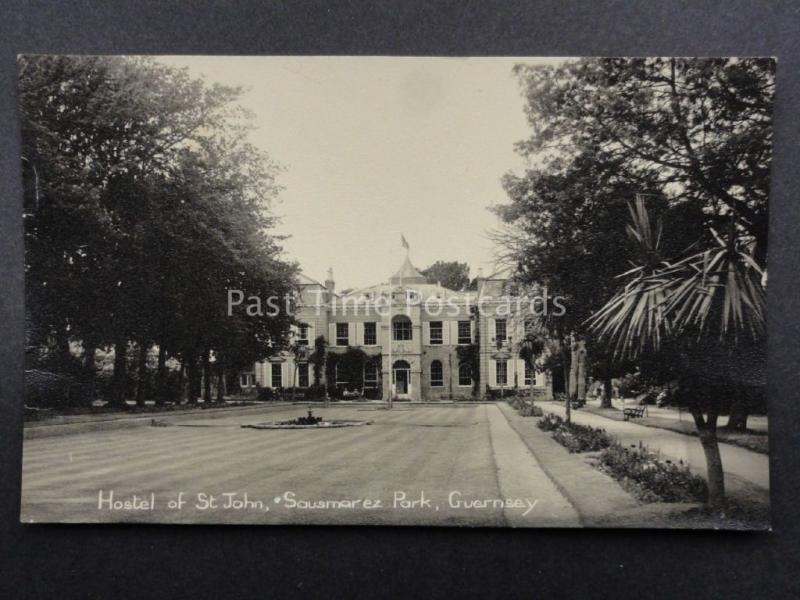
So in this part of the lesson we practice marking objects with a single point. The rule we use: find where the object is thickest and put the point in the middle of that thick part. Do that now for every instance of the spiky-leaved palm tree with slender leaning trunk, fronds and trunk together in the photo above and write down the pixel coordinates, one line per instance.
(709, 304)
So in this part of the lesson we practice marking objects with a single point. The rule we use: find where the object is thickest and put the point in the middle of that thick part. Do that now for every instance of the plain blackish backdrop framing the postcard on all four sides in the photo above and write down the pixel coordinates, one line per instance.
(266, 562)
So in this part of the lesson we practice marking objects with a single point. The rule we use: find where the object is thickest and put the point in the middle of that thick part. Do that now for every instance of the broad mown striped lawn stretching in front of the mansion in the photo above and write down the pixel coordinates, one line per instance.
(213, 470)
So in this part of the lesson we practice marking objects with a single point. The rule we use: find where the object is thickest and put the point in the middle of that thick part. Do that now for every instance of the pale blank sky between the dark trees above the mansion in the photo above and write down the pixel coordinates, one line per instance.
(376, 147)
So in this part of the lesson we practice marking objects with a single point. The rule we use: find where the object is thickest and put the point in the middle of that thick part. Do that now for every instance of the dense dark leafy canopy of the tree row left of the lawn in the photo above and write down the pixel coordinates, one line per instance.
(144, 202)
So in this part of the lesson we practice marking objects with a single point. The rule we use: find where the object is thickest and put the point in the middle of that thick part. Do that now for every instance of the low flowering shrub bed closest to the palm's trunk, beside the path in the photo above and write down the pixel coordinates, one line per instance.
(664, 479)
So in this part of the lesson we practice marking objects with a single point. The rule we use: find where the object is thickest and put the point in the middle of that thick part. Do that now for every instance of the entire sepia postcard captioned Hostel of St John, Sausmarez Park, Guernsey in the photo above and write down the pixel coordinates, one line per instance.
(487, 292)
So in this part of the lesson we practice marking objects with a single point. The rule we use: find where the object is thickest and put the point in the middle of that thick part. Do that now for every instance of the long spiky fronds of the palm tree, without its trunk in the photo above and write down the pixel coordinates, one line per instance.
(666, 299)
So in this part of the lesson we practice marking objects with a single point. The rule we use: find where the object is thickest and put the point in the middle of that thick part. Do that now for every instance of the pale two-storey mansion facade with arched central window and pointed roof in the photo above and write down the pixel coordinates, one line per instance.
(420, 330)
